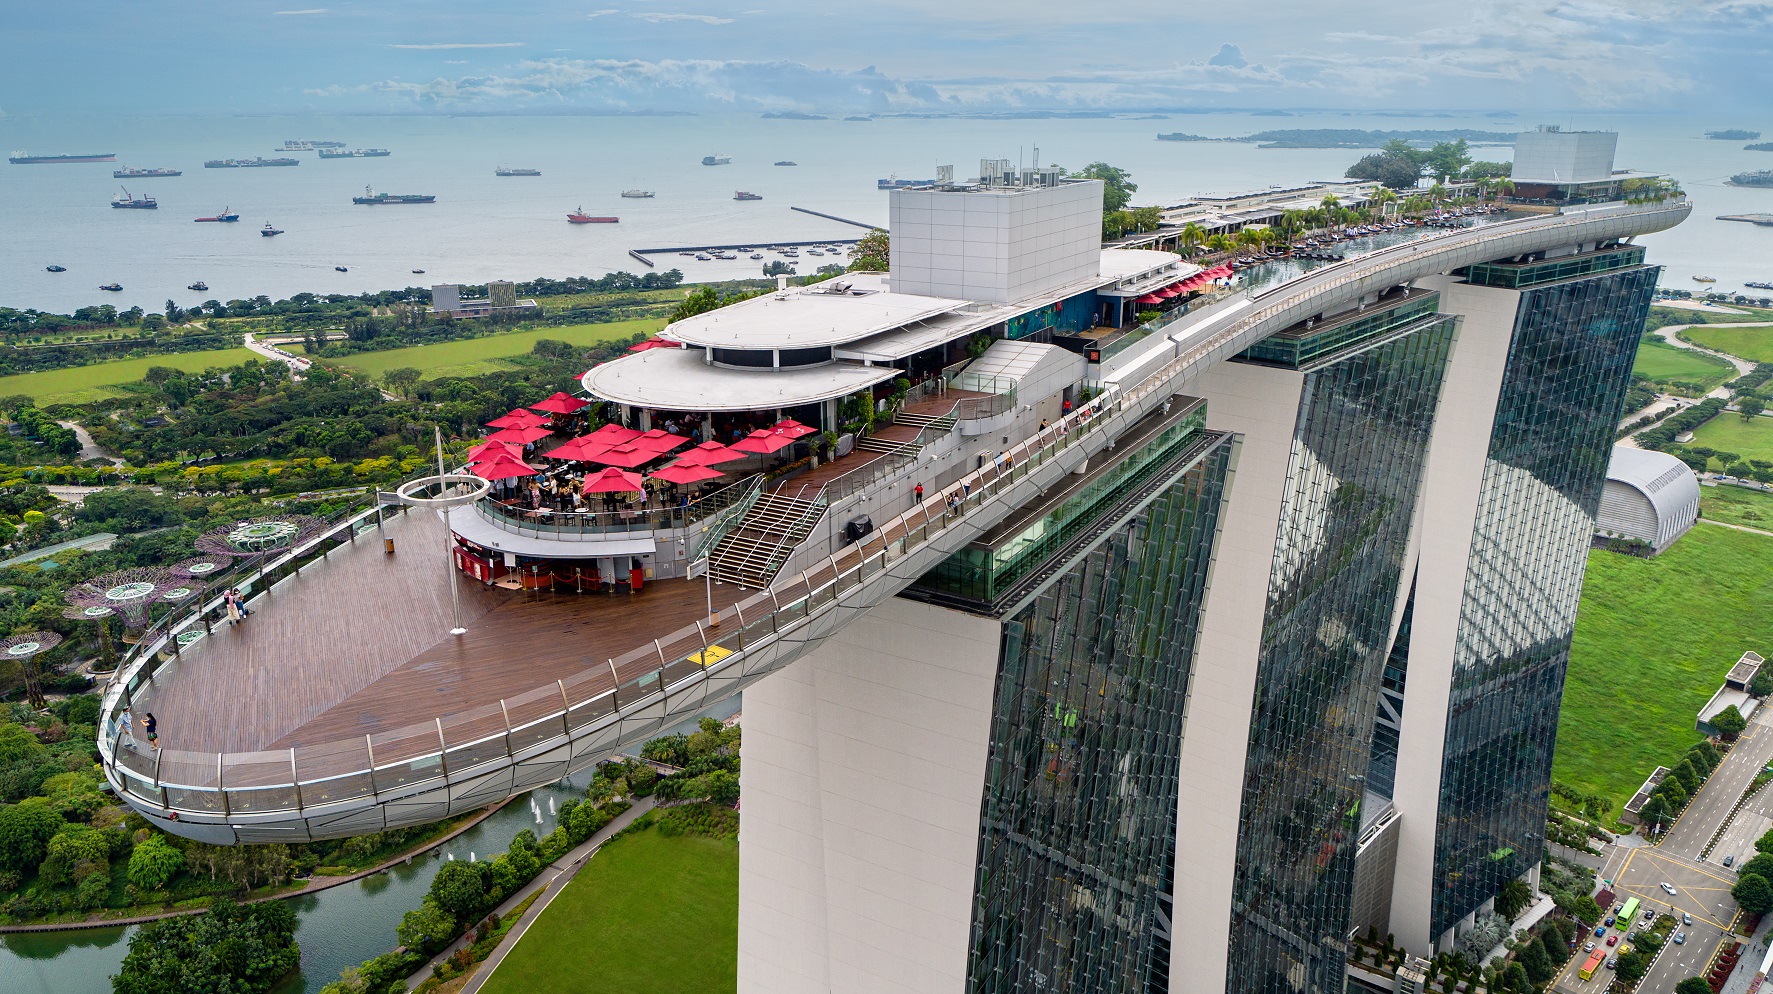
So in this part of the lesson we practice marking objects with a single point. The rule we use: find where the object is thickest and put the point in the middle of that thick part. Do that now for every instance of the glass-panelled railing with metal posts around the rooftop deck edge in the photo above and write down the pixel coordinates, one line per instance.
(682, 671)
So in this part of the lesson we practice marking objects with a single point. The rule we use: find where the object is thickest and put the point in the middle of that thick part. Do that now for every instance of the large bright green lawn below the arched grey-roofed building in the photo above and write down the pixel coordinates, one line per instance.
(1653, 642)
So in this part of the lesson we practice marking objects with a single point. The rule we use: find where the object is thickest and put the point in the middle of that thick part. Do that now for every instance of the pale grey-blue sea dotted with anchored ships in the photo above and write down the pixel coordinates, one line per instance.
(487, 228)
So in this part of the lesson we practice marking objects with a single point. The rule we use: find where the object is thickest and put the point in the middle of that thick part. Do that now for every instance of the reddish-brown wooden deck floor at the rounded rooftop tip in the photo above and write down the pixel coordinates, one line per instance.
(361, 644)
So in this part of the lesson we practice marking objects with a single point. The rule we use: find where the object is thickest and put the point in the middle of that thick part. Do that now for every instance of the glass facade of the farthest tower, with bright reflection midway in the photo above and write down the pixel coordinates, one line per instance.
(1563, 394)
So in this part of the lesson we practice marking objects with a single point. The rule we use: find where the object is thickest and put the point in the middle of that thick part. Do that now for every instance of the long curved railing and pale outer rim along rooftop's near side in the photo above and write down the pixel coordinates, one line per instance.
(621, 701)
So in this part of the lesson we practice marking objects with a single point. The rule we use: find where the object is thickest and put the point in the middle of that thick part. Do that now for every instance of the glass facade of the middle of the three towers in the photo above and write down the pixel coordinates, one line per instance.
(1359, 446)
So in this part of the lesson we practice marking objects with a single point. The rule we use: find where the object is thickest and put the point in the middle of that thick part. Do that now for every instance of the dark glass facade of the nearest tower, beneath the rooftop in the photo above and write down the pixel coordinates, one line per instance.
(1079, 821)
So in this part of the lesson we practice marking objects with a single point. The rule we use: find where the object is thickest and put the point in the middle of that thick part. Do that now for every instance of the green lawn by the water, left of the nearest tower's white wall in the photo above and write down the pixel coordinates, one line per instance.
(648, 915)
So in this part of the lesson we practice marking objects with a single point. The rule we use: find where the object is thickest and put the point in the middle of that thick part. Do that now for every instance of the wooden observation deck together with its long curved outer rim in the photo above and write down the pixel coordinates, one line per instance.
(343, 706)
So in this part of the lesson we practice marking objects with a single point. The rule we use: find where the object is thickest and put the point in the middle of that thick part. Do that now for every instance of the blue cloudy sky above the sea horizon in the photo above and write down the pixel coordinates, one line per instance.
(880, 58)
